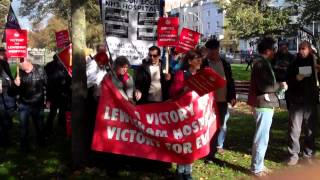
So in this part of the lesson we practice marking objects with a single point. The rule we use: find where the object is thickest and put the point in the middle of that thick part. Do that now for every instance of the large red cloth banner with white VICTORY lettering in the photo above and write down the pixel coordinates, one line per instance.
(174, 131)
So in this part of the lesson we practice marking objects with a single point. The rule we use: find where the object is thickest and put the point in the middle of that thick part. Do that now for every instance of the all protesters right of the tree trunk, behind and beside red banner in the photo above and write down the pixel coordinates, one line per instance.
(272, 73)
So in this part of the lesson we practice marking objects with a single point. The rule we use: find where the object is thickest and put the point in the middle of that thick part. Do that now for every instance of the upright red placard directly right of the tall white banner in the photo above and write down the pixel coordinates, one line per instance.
(168, 28)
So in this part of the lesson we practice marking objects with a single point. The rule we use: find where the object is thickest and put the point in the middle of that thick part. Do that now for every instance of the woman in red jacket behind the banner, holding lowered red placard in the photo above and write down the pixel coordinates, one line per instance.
(191, 64)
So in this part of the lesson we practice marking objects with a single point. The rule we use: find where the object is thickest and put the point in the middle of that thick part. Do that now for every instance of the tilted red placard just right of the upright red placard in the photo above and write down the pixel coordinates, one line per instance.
(188, 40)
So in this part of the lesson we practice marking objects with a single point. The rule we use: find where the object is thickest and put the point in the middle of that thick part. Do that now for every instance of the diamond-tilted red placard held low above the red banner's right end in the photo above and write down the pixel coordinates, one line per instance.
(205, 81)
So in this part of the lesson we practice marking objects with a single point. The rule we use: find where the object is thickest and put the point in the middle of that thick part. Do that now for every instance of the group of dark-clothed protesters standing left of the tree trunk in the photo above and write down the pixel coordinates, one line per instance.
(28, 93)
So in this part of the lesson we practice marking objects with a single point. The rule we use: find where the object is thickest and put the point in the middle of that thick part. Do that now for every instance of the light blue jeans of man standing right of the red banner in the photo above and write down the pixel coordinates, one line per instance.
(261, 139)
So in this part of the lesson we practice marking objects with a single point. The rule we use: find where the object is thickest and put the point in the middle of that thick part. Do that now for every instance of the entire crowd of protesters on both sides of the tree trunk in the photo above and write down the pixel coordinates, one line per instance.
(272, 74)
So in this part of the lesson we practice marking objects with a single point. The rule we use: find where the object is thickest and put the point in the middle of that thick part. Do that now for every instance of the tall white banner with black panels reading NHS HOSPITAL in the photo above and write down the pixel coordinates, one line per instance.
(130, 27)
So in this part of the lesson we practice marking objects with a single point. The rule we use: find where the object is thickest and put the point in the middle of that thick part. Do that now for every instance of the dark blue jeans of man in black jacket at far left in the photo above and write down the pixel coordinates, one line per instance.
(37, 115)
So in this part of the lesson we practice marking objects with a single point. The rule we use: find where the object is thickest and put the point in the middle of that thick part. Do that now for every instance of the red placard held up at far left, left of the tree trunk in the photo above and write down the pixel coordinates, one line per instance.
(17, 43)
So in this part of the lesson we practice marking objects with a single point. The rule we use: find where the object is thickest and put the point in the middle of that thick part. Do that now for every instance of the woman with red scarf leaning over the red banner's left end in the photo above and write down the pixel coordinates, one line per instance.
(122, 79)
